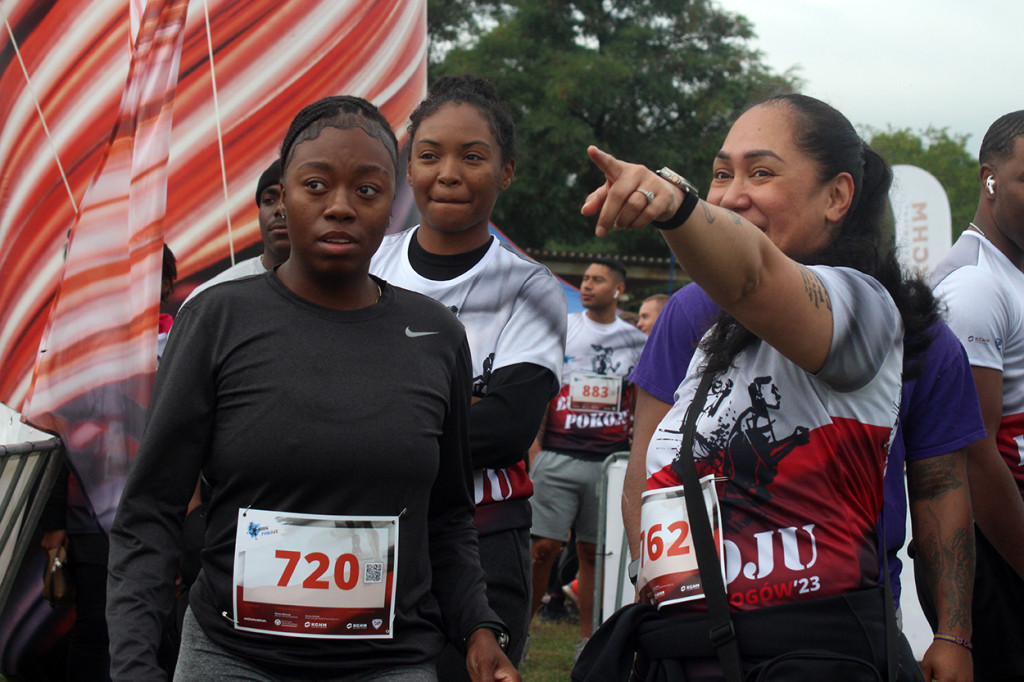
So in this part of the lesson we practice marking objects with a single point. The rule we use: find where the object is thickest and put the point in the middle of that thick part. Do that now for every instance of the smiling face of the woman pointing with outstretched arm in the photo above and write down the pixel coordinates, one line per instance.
(761, 176)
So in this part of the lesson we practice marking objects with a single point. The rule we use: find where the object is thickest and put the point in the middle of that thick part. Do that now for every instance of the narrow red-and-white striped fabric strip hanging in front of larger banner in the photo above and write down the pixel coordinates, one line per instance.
(99, 353)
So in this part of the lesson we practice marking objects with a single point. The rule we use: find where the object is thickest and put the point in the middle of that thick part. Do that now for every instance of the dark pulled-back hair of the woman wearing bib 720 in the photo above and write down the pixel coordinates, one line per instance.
(345, 112)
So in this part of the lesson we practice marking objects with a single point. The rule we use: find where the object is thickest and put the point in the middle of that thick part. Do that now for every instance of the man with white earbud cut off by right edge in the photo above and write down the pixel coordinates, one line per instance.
(982, 281)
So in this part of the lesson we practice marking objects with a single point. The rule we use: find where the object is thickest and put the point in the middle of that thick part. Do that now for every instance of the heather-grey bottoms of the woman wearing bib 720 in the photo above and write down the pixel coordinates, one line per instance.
(201, 660)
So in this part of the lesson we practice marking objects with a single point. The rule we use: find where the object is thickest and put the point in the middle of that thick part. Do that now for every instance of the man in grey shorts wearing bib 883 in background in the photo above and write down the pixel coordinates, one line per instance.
(590, 419)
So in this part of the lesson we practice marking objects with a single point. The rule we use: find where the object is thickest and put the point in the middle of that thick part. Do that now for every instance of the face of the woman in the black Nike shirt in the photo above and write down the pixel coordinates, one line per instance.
(338, 189)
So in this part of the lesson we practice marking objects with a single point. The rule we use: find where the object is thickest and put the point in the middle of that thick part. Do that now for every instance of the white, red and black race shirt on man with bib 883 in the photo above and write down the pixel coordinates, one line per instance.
(594, 351)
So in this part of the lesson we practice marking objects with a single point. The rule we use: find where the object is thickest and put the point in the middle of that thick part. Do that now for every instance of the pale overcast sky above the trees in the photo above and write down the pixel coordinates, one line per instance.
(956, 64)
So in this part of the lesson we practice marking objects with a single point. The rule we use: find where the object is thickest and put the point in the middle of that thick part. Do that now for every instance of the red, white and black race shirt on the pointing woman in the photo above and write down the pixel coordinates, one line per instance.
(801, 457)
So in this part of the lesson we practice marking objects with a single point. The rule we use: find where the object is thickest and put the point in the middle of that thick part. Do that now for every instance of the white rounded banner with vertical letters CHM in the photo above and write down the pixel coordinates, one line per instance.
(924, 230)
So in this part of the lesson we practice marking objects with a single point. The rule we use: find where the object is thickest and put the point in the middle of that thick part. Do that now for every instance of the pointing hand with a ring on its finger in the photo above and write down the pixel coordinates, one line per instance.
(632, 197)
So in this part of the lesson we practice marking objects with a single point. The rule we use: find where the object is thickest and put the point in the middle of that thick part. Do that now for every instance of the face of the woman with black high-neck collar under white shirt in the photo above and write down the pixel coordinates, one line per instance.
(456, 170)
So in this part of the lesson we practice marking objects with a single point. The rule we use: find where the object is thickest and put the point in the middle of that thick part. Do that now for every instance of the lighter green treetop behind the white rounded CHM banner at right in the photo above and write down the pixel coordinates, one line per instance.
(945, 156)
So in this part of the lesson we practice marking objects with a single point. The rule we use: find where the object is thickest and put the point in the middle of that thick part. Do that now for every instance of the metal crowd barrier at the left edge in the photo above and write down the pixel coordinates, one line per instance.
(28, 473)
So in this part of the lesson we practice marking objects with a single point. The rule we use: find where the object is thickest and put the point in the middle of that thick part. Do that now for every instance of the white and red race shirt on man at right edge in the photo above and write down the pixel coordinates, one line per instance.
(985, 293)
